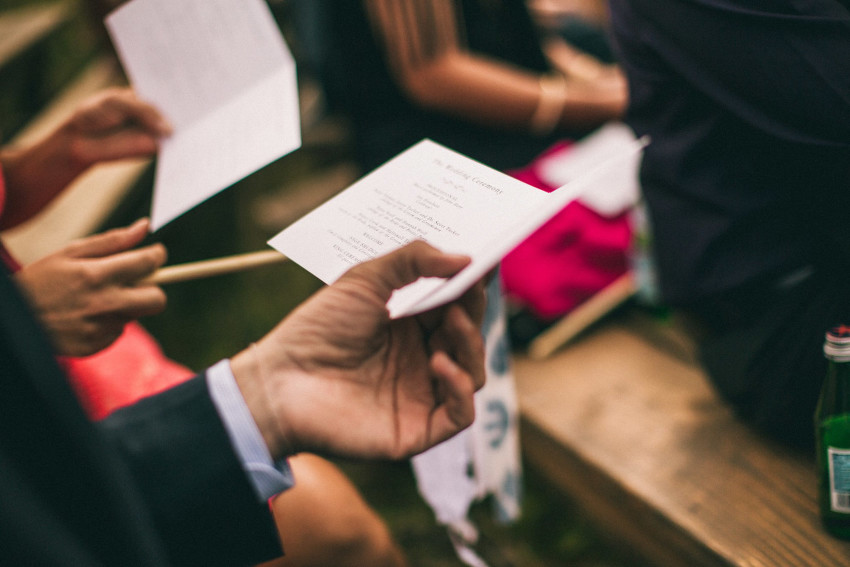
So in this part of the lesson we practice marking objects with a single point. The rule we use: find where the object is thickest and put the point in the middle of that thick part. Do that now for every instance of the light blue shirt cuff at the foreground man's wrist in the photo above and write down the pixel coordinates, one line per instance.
(268, 478)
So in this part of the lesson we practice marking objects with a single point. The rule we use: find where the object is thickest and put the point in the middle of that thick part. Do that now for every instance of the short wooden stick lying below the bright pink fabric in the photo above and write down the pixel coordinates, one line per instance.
(582, 317)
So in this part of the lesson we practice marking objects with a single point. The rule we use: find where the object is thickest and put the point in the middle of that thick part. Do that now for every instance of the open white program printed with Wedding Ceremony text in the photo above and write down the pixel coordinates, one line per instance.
(431, 193)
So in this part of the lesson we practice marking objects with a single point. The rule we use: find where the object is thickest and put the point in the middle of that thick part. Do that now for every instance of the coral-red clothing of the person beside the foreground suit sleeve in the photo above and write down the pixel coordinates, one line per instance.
(132, 367)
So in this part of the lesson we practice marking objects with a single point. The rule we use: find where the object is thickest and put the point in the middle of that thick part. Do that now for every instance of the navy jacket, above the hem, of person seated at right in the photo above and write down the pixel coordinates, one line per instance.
(748, 107)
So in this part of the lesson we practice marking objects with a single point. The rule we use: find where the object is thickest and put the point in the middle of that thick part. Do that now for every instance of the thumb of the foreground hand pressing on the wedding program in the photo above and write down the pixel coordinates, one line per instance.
(403, 266)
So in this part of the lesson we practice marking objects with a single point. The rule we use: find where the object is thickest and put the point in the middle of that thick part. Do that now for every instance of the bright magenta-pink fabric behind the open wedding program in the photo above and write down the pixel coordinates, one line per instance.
(567, 260)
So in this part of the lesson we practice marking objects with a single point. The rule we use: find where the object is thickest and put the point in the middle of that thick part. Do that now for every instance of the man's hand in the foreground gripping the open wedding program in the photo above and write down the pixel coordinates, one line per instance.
(339, 377)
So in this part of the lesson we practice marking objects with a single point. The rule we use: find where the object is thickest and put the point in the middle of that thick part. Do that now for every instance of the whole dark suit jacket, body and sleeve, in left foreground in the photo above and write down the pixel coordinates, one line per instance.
(157, 483)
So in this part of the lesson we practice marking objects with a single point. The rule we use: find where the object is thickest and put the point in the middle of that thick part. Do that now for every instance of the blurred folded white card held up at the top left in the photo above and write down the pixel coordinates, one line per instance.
(221, 73)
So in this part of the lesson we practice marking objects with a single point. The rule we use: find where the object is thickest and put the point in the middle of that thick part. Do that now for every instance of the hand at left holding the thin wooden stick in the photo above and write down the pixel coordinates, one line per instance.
(85, 293)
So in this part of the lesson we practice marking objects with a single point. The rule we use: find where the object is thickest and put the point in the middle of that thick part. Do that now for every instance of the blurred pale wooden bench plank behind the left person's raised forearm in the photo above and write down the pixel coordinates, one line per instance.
(81, 208)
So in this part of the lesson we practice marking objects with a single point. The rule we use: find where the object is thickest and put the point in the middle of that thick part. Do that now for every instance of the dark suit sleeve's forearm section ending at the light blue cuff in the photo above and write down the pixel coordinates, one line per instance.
(202, 502)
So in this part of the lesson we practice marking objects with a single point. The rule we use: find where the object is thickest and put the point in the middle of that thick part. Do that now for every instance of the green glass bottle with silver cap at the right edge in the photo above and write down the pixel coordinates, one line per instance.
(832, 429)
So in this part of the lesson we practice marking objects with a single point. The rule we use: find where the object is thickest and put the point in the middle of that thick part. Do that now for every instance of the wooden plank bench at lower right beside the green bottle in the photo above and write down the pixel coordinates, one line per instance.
(624, 422)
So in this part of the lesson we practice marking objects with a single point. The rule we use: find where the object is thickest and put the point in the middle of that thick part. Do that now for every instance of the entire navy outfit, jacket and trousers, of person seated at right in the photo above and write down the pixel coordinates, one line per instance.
(747, 180)
